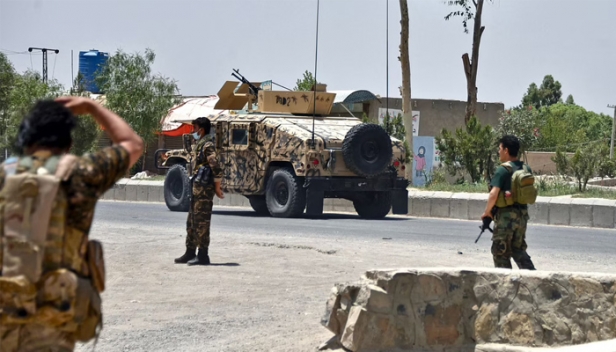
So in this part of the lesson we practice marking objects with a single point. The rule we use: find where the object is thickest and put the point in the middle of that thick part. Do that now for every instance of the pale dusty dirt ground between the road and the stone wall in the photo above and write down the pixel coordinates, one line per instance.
(266, 291)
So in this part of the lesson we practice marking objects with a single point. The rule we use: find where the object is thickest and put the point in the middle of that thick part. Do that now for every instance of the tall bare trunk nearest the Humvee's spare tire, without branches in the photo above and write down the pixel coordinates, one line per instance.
(407, 113)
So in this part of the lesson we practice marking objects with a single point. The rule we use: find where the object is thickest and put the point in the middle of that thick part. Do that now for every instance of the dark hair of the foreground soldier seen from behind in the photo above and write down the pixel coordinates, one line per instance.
(49, 124)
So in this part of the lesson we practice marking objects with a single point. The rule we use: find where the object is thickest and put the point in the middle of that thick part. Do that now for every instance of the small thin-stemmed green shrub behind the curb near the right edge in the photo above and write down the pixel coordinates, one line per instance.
(586, 162)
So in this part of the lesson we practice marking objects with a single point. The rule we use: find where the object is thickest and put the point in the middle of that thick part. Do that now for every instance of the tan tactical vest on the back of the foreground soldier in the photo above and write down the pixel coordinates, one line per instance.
(44, 276)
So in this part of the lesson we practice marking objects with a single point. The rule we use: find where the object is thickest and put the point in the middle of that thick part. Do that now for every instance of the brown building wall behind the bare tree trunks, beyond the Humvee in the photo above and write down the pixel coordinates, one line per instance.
(436, 114)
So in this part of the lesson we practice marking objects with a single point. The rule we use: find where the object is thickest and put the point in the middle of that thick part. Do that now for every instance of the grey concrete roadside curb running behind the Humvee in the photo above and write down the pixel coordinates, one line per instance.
(579, 212)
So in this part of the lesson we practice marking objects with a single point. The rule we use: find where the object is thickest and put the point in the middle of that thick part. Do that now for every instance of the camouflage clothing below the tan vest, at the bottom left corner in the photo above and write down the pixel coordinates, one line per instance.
(33, 337)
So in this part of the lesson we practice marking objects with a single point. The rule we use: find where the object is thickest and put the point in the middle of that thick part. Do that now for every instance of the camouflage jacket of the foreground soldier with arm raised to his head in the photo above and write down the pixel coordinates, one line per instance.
(93, 174)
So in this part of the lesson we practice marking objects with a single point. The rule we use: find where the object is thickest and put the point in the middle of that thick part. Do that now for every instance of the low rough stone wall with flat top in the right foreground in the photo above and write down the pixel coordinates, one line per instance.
(459, 309)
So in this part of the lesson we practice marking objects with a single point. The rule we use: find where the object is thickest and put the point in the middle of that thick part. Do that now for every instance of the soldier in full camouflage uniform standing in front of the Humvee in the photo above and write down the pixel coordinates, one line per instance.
(200, 212)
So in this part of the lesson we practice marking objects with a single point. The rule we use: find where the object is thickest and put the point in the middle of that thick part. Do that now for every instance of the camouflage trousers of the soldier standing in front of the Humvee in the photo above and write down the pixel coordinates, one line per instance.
(199, 216)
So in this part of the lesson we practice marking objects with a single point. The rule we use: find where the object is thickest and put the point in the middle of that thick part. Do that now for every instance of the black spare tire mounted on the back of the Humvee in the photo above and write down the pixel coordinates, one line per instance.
(367, 149)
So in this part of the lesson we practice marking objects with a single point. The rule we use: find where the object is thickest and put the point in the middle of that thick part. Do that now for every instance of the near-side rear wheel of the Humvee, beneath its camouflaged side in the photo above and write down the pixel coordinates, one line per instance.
(285, 197)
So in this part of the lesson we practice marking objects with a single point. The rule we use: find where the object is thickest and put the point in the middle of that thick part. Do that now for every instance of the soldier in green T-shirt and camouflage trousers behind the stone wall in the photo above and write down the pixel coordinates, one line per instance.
(509, 238)
